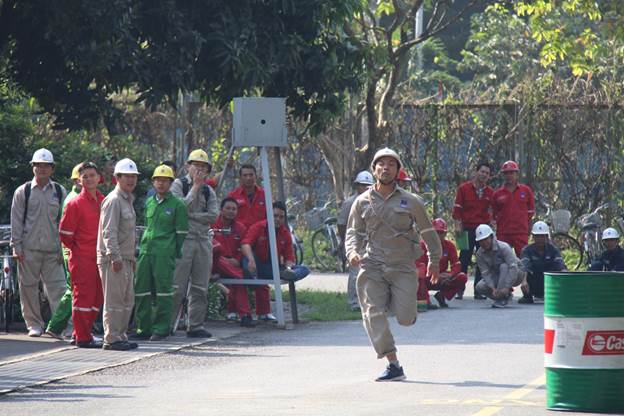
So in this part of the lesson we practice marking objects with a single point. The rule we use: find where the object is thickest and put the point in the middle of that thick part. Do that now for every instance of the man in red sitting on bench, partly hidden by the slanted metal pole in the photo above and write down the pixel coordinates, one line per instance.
(257, 257)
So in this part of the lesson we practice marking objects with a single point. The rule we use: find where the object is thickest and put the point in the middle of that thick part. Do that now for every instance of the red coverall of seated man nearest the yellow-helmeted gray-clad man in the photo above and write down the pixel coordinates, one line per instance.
(229, 246)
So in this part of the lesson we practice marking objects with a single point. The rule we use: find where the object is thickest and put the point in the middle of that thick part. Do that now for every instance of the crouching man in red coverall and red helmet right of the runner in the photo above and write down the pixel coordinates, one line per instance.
(451, 280)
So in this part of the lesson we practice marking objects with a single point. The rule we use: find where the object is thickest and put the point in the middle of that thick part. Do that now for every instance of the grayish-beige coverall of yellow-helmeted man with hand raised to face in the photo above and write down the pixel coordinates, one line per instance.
(196, 261)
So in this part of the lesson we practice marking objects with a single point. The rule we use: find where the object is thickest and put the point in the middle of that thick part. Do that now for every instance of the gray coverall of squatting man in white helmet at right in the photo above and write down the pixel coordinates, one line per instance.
(499, 268)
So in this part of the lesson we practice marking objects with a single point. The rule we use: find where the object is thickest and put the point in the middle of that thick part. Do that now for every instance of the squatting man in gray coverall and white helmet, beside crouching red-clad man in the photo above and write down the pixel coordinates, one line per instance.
(500, 268)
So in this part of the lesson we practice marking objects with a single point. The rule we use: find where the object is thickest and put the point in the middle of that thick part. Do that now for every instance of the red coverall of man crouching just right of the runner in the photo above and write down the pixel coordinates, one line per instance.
(449, 259)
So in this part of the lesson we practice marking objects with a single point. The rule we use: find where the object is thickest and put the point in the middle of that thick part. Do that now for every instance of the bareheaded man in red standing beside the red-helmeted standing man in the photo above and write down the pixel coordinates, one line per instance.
(473, 206)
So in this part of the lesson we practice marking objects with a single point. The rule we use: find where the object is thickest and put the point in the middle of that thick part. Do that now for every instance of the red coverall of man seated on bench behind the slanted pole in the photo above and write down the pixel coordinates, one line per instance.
(258, 238)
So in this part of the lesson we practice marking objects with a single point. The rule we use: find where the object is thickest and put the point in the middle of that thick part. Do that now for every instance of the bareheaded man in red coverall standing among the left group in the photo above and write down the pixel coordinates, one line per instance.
(79, 233)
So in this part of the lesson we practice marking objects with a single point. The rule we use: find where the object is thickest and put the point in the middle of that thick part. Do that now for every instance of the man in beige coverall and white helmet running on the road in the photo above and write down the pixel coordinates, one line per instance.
(385, 225)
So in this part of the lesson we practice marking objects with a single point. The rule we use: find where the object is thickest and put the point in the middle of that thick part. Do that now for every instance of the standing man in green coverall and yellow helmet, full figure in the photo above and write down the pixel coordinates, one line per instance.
(166, 222)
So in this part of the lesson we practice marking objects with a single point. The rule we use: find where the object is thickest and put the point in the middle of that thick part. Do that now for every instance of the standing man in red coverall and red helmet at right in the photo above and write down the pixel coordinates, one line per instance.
(514, 206)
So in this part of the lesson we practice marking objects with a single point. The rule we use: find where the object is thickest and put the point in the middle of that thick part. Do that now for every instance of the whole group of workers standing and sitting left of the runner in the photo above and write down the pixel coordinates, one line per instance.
(176, 256)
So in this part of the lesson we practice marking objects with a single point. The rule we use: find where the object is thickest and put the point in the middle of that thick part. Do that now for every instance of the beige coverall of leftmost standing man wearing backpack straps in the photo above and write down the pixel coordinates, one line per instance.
(38, 238)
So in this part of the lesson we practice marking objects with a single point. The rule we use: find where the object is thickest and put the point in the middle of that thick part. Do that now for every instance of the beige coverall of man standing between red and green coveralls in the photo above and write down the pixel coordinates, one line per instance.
(117, 242)
